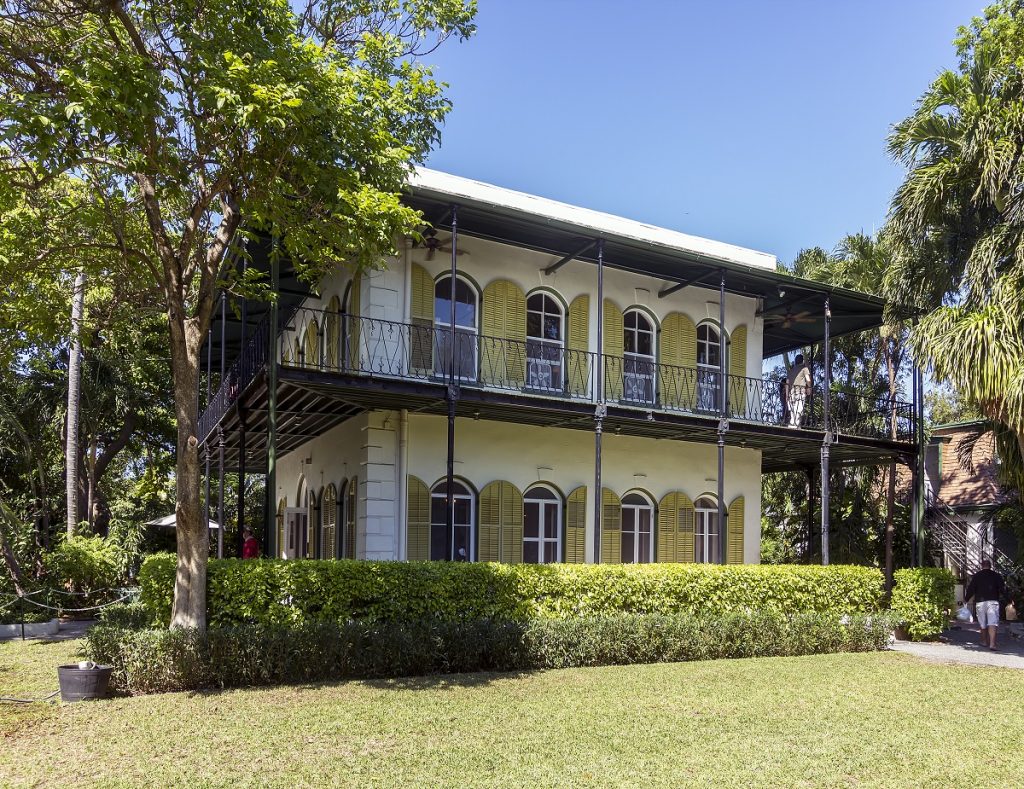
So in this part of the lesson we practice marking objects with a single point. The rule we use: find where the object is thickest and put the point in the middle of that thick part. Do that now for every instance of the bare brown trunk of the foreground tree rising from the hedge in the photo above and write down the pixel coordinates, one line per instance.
(193, 533)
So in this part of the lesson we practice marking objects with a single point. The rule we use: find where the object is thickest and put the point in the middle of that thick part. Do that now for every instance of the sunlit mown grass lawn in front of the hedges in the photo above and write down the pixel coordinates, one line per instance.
(866, 720)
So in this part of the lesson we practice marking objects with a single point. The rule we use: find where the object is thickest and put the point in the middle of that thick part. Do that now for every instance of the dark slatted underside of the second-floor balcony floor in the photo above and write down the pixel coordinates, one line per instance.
(312, 403)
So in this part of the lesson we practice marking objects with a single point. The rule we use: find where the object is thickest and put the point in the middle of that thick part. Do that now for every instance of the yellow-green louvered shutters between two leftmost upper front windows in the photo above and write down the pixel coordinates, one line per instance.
(503, 326)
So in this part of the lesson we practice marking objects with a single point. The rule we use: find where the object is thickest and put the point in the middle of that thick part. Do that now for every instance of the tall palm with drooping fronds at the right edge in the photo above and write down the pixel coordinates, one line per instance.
(958, 223)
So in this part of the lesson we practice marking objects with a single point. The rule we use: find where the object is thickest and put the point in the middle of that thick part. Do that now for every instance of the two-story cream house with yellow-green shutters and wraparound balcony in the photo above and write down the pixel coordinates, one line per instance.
(535, 382)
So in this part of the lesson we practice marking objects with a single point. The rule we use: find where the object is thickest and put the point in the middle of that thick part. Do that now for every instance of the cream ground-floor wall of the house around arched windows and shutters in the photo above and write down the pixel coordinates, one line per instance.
(368, 447)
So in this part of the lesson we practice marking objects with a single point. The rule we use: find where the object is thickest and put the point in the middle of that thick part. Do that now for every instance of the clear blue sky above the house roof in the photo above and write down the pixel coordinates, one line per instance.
(761, 124)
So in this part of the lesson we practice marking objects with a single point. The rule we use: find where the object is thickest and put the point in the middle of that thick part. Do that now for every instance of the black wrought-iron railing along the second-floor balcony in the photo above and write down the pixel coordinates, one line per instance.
(361, 347)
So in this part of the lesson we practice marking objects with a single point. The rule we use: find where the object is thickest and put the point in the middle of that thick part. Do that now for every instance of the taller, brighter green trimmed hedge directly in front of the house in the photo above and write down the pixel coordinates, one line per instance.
(274, 592)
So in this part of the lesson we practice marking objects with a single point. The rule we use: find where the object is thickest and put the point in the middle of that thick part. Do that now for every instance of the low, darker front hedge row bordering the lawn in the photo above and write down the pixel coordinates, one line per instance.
(161, 661)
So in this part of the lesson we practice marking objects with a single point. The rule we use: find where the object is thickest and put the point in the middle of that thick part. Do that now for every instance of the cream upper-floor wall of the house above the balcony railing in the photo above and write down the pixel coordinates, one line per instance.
(386, 293)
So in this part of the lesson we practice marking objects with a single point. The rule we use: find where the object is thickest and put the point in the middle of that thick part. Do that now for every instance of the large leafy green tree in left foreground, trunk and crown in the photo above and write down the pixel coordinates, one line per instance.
(178, 128)
